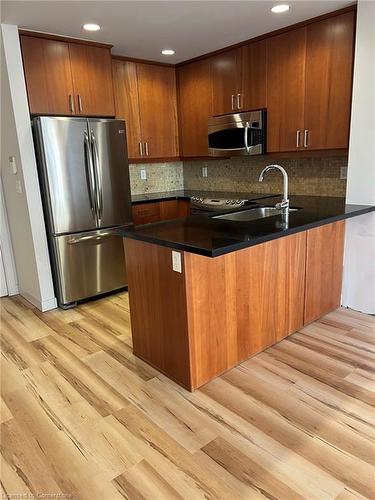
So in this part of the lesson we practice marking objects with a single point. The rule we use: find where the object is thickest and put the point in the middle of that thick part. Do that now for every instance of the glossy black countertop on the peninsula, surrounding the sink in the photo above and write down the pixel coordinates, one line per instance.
(211, 237)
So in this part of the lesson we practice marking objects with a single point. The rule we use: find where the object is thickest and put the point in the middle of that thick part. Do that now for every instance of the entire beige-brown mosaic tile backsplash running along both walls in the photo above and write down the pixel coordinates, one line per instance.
(309, 176)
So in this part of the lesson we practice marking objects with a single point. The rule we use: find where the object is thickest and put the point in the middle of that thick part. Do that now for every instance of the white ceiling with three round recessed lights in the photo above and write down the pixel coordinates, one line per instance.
(141, 29)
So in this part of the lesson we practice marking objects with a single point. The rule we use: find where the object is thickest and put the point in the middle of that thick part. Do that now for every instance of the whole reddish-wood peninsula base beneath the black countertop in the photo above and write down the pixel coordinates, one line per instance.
(217, 312)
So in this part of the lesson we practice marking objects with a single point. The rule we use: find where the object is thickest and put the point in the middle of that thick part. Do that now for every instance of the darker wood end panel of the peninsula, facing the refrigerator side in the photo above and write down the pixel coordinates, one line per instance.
(158, 309)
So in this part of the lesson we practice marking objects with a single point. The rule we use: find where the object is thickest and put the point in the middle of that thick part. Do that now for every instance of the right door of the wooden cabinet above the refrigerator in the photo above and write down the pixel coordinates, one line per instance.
(92, 80)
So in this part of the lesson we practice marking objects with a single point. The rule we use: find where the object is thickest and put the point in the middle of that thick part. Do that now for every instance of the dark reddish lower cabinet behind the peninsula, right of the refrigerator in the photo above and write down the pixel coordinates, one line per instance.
(145, 213)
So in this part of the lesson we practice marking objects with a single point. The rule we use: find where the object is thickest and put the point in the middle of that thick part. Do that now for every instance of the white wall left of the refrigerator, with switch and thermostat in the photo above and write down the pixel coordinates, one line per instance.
(24, 209)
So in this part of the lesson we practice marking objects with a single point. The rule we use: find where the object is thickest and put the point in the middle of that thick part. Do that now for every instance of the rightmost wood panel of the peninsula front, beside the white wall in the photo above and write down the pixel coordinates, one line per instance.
(324, 267)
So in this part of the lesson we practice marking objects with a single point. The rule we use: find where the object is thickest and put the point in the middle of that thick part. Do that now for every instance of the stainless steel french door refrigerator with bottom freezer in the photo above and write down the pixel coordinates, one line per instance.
(84, 177)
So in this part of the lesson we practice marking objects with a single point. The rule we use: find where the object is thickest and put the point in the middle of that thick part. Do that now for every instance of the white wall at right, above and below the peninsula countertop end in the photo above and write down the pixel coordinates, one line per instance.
(359, 260)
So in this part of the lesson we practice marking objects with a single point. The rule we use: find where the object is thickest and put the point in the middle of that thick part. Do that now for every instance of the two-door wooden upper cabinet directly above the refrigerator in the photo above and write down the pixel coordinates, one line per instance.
(67, 78)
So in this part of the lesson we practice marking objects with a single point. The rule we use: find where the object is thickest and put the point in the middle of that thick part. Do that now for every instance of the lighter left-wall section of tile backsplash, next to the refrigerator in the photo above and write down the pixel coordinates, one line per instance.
(160, 177)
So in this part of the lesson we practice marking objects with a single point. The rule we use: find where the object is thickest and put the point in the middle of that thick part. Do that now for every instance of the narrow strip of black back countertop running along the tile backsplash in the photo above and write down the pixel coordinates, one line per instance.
(187, 194)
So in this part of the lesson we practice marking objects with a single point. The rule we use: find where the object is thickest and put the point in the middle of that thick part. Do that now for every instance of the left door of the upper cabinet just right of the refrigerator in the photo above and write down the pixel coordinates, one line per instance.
(127, 103)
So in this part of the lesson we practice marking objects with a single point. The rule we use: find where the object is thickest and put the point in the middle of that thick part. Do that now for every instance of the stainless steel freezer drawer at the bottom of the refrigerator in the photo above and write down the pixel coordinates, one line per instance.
(88, 264)
